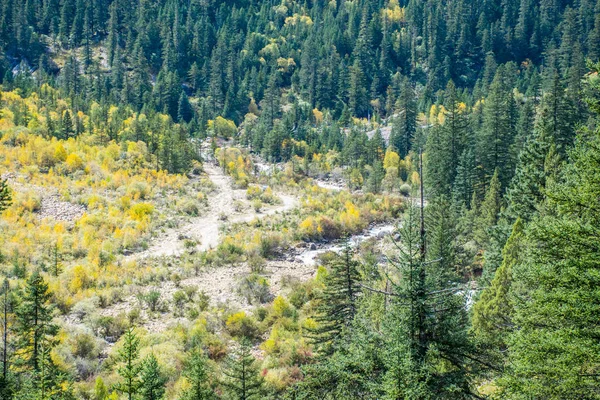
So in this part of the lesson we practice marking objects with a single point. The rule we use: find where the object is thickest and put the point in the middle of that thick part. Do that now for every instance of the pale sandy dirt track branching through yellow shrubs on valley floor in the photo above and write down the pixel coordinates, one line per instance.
(205, 229)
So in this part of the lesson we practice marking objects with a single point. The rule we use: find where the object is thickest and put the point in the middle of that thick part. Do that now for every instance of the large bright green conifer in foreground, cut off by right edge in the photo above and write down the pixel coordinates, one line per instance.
(553, 350)
